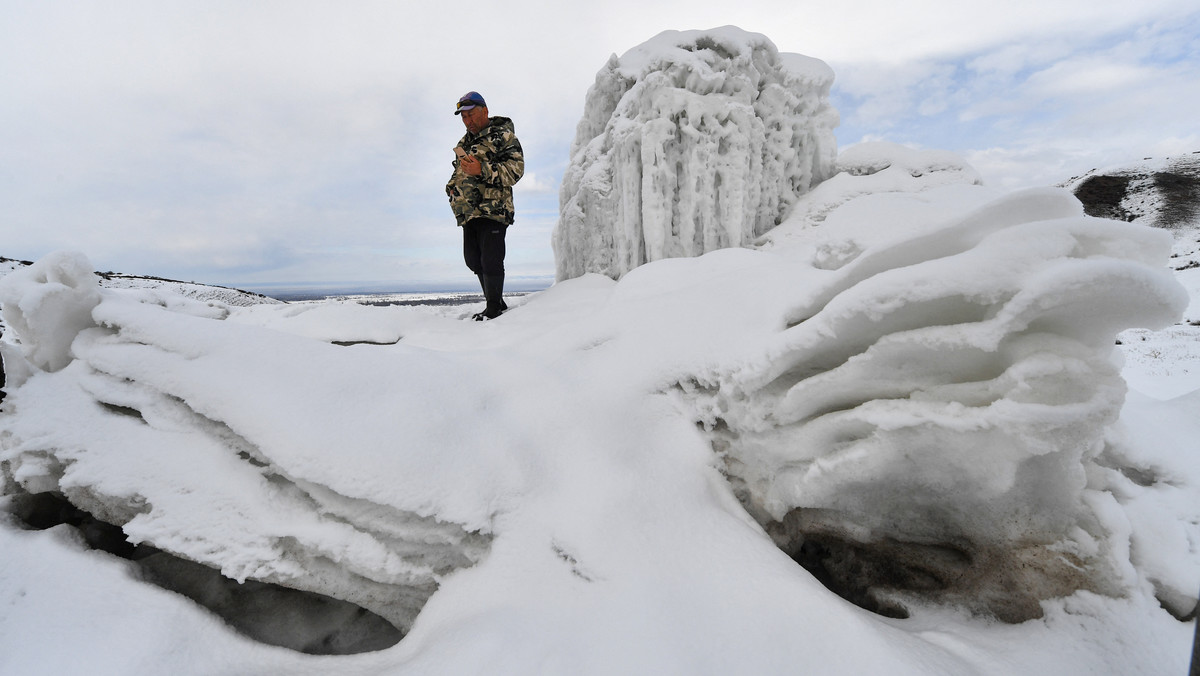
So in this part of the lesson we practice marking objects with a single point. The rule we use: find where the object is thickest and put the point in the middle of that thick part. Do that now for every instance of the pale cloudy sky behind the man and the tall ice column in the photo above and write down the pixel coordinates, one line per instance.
(301, 143)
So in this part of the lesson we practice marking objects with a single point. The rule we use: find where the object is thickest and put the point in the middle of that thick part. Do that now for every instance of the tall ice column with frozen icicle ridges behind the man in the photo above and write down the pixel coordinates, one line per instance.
(689, 143)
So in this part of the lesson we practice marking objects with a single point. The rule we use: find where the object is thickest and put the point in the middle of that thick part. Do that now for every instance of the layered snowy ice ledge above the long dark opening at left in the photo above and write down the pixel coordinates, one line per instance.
(193, 474)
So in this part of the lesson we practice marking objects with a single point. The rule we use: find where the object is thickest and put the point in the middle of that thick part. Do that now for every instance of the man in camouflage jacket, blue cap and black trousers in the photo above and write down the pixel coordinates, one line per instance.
(489, 161)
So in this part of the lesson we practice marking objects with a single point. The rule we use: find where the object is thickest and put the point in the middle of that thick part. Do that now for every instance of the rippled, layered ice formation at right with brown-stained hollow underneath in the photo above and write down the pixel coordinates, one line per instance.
(980, 352)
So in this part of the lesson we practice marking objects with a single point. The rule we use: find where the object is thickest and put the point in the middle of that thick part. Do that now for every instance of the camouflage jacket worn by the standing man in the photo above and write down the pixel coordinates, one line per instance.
(489, 195)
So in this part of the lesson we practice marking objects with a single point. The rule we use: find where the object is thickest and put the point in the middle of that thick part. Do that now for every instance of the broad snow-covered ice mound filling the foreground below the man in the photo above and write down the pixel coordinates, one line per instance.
(917, 402)
